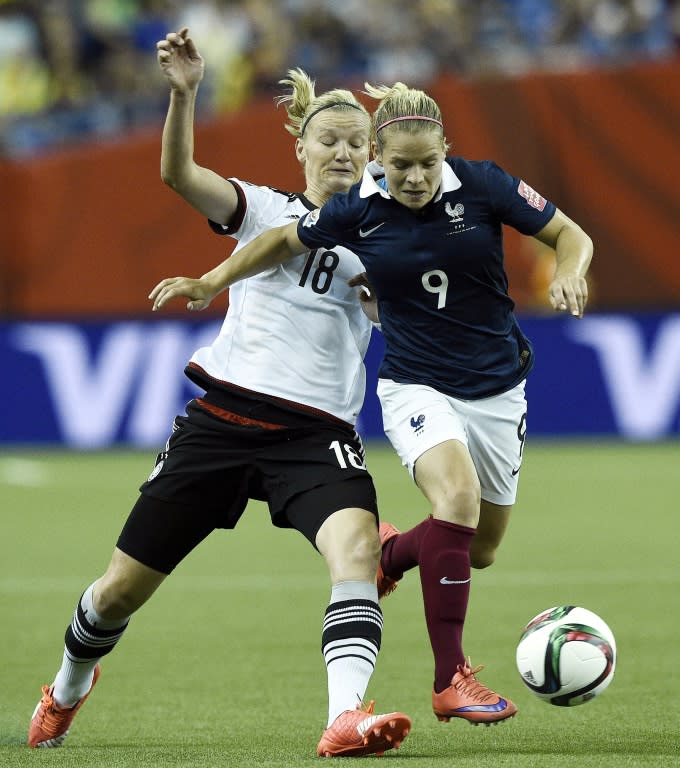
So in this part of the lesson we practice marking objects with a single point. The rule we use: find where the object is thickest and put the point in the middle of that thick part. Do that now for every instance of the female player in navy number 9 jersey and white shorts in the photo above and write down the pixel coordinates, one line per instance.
(427, 229)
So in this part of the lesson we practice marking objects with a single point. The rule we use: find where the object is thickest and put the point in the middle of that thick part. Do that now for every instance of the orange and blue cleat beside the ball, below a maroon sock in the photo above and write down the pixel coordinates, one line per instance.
(466, 697)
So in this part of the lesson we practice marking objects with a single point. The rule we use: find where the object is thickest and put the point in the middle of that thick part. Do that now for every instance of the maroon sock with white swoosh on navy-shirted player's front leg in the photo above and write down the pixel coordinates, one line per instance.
(444, 560)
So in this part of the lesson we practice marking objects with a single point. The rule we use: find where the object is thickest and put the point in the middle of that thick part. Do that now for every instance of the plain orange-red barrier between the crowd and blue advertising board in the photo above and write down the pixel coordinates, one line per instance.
(90, 231)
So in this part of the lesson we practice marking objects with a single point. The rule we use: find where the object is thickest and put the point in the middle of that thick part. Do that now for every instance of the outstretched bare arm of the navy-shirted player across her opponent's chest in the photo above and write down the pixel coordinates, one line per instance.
(267, 250)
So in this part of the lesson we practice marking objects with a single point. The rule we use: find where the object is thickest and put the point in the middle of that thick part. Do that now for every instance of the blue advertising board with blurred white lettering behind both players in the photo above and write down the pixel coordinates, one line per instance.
(123, 382)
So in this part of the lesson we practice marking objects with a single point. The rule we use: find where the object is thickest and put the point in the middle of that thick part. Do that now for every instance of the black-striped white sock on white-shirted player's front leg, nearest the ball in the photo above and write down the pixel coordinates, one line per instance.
(350, 642)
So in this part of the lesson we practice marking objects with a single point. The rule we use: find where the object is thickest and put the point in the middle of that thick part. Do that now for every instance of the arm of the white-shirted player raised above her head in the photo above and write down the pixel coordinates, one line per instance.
(205, 190)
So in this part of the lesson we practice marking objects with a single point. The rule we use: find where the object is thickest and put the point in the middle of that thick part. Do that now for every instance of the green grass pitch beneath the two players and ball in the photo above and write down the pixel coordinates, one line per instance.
(223, 666)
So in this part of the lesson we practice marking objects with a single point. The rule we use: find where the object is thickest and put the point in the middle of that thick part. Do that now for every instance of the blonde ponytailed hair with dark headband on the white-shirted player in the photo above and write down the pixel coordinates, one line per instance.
(302, 103)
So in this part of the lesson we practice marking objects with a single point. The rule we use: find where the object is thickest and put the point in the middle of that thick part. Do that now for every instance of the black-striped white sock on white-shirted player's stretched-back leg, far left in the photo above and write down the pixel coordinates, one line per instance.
(87, 639)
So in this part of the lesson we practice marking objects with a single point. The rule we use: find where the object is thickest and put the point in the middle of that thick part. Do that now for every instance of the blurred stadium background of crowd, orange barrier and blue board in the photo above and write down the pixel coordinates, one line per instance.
(580, 98)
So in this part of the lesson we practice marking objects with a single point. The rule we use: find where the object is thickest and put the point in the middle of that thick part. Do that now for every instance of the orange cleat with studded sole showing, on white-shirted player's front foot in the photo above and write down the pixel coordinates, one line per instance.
(359, 732)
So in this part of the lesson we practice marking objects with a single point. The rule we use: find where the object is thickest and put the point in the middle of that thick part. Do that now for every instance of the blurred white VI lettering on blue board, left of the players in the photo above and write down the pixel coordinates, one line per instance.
(133, 378)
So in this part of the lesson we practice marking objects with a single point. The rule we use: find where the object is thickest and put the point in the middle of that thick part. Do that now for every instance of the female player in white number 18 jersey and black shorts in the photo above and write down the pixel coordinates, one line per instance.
(284, 382)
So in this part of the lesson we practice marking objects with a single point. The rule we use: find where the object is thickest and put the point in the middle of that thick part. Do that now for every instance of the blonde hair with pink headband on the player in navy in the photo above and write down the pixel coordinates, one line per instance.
(405, 109)
